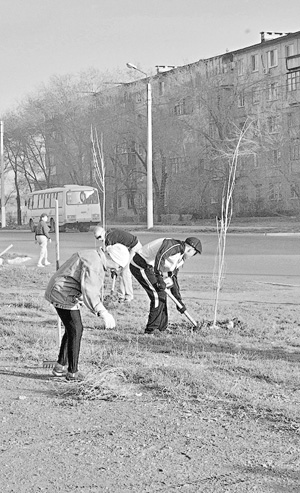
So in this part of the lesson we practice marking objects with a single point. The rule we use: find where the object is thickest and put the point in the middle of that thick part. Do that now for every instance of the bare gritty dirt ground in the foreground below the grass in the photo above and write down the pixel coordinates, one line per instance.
(136, 444)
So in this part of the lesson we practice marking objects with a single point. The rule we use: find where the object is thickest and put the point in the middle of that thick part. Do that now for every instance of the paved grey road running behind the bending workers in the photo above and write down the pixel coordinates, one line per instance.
(275, 257)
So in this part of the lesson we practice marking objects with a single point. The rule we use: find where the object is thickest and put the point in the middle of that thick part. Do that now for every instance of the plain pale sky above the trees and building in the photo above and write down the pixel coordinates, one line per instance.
(41, 38)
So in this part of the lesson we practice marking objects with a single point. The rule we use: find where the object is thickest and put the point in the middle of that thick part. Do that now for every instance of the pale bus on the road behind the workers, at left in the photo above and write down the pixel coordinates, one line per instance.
(78, 207)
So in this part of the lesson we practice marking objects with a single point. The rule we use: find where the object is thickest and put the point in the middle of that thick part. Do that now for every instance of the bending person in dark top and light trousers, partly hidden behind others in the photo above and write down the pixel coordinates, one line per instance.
(110, 237)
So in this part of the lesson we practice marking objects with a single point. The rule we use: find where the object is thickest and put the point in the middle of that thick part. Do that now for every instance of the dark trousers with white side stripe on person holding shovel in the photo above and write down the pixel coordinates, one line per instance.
(158, 314)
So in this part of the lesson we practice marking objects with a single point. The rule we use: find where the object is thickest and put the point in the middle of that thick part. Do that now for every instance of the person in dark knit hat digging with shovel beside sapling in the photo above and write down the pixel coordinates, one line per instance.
(155, 267)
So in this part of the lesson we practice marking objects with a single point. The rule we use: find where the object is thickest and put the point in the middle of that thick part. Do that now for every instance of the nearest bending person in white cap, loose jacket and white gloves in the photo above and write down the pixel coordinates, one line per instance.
(79, 281)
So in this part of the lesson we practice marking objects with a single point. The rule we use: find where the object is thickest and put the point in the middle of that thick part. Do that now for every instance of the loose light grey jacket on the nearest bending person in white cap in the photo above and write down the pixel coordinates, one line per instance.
(79, 279)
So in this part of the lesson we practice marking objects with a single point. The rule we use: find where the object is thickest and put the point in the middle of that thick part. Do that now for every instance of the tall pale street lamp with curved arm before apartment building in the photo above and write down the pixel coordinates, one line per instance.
(149, 150)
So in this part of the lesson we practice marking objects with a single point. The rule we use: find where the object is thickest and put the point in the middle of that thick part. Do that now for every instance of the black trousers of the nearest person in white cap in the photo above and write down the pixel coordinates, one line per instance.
(71, 340)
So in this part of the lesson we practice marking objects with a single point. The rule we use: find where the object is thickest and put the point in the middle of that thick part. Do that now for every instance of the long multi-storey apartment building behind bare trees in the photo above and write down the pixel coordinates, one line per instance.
(197, 110)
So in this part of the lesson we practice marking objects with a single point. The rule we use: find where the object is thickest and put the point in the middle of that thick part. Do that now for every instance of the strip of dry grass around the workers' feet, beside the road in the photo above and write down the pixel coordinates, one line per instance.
(250, 368)
